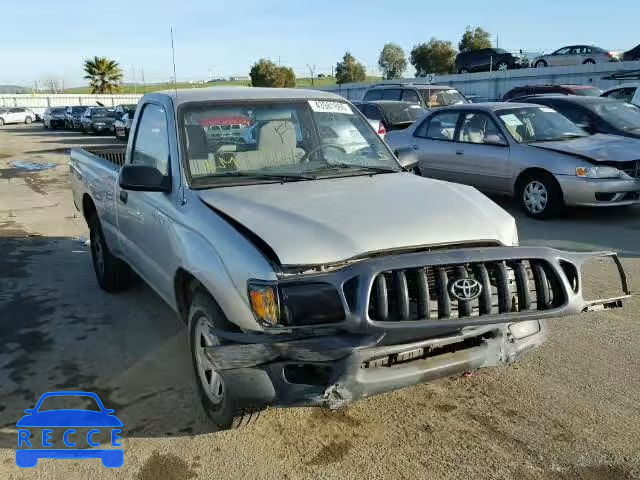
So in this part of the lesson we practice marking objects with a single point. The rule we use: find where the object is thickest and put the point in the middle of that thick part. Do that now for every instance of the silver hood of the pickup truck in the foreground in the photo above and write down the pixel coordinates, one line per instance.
(331, 220)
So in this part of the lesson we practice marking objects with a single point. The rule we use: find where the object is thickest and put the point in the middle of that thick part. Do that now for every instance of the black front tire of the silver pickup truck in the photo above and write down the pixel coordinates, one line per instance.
(224, 412)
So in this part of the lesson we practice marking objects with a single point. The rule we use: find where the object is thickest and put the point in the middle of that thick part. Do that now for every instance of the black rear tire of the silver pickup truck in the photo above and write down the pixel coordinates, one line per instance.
(113, 274)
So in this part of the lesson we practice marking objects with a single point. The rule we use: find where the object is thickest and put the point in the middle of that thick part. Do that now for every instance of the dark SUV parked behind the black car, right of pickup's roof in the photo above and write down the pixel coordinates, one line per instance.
(427, 96)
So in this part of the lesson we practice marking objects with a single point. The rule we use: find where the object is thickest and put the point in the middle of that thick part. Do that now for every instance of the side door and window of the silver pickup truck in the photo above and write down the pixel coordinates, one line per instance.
(142, 223)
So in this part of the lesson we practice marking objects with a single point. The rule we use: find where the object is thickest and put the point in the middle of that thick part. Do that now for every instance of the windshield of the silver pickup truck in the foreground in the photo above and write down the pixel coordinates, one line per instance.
(250, 142)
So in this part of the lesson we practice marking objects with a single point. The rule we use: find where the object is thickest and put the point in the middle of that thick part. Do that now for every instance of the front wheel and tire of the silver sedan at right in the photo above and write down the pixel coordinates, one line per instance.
(540, 196)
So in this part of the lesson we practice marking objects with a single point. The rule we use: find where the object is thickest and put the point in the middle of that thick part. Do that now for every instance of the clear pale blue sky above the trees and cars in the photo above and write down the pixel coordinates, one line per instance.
(43, 39)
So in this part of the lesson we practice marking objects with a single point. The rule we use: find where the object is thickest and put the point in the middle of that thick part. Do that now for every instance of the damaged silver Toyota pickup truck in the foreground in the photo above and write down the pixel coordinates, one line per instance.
(309, 267)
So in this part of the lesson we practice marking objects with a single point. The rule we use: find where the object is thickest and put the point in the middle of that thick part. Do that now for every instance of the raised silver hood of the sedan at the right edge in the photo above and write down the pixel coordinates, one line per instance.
(597, 148)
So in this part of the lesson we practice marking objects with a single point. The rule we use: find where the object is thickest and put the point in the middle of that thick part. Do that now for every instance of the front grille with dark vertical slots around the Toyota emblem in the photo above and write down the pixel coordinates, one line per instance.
(424, 292)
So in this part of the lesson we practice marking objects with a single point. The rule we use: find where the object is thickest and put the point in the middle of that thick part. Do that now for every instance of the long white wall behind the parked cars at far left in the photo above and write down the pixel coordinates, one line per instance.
(40, 102)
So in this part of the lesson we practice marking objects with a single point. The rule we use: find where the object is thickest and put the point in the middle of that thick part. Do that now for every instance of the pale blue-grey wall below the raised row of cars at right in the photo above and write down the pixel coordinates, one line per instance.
(493, 85)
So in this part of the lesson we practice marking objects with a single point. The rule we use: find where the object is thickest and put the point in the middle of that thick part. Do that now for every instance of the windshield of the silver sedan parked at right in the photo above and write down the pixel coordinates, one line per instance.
(538, 124)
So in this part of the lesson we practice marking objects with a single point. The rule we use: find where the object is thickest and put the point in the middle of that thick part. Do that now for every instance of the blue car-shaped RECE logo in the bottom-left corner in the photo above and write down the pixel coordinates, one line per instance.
(27, 455)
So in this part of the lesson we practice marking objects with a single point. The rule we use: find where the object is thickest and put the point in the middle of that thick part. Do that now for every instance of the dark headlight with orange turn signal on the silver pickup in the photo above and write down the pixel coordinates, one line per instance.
(295, 304)
